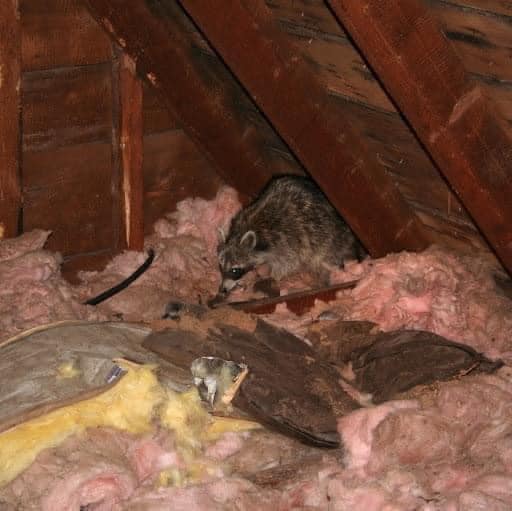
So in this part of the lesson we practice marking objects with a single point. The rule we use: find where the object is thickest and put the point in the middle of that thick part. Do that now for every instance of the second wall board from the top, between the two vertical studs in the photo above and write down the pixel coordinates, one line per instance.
(66, 106)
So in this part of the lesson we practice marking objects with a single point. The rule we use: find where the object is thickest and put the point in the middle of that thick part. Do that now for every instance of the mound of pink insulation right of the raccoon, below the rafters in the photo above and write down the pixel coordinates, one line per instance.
(439, 291)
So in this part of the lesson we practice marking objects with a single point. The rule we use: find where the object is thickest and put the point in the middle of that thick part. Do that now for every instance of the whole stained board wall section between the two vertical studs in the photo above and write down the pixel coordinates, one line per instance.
(67, 122)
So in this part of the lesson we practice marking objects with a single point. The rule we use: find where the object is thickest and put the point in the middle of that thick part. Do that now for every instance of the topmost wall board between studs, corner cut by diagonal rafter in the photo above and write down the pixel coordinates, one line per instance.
(58, 33)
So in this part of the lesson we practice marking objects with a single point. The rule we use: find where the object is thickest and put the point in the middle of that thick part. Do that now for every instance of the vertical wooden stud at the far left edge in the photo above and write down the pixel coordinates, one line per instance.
(10, 56)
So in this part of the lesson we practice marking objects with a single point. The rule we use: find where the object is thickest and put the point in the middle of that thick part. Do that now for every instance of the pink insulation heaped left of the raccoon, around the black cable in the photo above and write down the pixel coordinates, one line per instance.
(185, 268)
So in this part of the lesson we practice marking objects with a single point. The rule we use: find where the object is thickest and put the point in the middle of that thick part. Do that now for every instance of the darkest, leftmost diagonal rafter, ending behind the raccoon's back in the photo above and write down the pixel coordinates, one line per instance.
(163, 50)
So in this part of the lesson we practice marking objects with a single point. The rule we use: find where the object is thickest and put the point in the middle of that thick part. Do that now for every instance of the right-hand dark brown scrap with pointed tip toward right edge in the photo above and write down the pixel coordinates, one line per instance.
(384, 364)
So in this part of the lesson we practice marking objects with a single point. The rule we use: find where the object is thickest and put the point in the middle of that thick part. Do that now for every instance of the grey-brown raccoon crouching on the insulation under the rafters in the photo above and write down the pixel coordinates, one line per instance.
(290, 226)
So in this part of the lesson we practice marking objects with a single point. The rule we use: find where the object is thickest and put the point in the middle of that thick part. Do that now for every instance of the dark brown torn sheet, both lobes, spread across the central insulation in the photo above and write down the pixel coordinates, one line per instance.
(301, 390)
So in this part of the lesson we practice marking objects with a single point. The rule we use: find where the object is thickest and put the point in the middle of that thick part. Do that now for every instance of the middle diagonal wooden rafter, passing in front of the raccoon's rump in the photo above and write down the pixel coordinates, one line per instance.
(287, 89)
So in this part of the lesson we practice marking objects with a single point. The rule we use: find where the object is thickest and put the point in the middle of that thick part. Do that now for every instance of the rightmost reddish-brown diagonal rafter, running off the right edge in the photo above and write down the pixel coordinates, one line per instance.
(452, 117)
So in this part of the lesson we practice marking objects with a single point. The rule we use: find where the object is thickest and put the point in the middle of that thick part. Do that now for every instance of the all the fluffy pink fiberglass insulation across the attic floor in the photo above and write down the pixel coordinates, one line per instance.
(450, 449)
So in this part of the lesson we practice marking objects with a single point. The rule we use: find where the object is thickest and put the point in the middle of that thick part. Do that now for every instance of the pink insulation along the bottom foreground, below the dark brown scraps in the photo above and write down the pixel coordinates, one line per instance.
(450, 450)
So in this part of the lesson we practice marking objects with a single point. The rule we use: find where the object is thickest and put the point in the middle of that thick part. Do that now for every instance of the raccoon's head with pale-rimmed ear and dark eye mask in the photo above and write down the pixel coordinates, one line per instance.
(237, 256)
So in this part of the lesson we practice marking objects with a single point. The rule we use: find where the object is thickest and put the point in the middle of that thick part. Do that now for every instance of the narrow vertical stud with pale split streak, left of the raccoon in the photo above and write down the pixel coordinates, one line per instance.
(131, 145)
